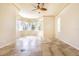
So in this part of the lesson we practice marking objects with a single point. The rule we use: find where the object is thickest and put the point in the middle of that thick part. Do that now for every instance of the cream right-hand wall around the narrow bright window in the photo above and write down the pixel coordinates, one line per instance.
(69, 25)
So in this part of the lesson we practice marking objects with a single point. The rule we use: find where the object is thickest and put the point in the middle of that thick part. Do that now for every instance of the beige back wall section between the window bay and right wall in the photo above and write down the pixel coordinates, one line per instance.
(48, 26)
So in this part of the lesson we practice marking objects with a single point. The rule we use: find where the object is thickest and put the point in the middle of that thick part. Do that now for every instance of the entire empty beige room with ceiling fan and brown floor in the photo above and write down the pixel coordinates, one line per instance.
(39, 29)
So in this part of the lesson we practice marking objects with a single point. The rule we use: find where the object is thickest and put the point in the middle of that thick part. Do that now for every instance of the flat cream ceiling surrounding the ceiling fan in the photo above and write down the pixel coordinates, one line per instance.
(52, 8)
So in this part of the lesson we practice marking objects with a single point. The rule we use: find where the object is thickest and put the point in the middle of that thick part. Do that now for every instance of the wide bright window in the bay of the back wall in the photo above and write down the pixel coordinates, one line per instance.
(21, 25)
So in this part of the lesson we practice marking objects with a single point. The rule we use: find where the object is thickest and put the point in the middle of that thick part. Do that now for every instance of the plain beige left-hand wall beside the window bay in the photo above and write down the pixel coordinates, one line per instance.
(7, 24)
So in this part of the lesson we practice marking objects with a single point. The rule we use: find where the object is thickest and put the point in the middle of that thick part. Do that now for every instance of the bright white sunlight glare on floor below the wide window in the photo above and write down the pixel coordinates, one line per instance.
(27, 45)
